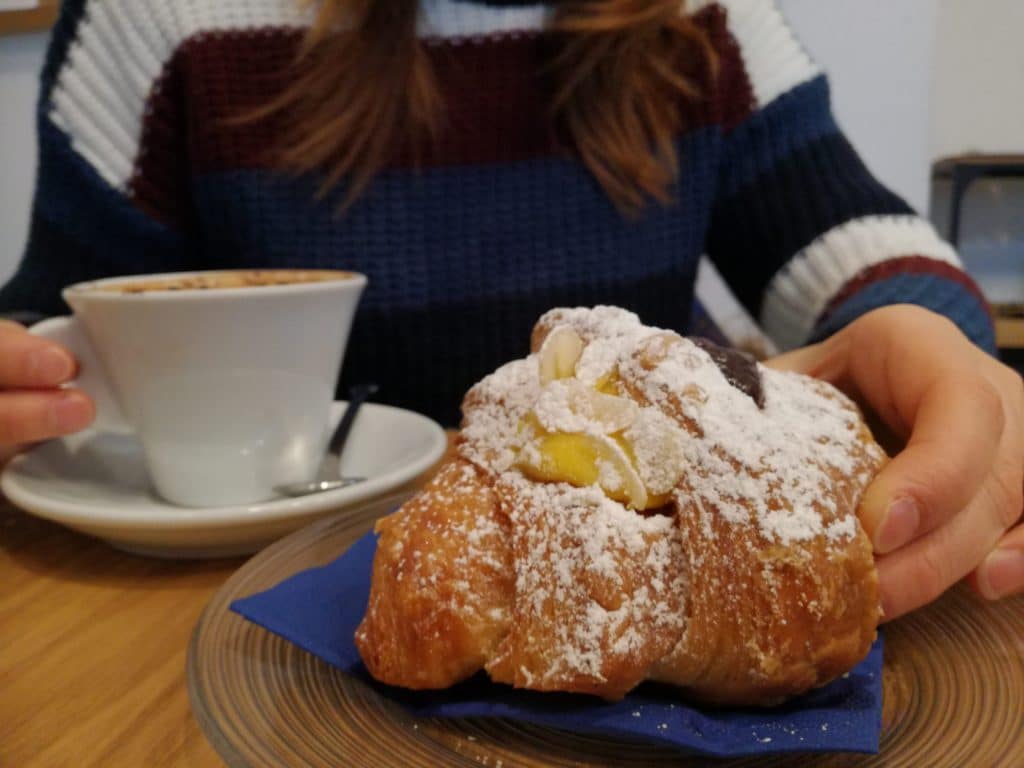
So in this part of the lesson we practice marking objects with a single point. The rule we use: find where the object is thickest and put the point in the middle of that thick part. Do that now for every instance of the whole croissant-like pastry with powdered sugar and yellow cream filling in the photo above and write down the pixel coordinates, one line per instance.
(624, 505)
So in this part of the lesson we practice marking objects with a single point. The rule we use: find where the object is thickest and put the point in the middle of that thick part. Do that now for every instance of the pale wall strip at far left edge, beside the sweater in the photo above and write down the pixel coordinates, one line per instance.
(21, 62)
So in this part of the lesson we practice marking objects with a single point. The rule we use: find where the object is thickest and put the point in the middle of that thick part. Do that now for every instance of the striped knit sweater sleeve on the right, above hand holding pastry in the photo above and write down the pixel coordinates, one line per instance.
(805, 236)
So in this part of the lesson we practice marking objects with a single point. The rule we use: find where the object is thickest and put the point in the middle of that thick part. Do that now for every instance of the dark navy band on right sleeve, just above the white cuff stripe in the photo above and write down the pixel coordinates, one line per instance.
(779, 214)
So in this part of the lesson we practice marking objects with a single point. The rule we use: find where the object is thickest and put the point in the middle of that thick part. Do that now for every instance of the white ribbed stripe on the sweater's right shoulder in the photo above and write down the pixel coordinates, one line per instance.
(775, 60)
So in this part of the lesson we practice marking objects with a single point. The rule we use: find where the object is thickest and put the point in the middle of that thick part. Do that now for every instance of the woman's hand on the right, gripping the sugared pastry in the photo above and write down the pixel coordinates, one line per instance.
(949, 505)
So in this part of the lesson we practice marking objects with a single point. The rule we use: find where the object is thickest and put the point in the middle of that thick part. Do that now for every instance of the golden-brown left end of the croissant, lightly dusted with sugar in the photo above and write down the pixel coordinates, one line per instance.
(443, 584)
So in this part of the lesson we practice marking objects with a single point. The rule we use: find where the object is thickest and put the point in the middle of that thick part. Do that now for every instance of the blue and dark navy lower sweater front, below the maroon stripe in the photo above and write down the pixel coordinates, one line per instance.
(463, 261)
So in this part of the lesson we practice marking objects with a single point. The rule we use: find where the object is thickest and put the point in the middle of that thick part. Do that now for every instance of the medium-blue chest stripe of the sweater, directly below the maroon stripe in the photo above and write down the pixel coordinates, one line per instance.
(461, 233)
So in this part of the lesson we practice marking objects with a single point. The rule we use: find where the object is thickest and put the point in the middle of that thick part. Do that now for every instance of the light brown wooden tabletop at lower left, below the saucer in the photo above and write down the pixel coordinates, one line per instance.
(93, 651)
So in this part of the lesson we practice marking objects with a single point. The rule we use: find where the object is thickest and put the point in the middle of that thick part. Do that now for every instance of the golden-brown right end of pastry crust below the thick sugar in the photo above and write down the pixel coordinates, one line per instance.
(769, 621)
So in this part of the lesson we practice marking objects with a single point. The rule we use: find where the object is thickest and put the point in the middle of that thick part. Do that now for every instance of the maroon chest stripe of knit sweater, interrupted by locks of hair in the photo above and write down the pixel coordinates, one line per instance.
(495, 110)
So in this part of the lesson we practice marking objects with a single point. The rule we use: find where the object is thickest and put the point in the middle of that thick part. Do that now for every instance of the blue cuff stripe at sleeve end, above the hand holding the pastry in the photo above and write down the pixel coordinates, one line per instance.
(934, 292)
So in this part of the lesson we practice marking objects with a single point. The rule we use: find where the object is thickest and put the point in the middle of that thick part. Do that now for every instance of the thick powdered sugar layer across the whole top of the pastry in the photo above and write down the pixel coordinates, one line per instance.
(775, 461)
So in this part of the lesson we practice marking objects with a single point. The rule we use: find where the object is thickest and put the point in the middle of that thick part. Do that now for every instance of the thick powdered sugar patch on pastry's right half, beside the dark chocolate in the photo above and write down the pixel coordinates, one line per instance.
(778, 461)
